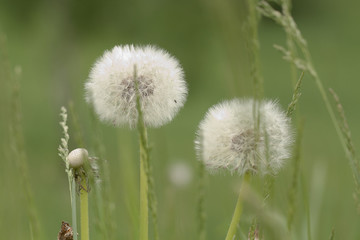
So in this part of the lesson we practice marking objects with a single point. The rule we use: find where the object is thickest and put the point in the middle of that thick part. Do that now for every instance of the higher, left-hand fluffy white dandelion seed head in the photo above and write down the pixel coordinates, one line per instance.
(160, 80)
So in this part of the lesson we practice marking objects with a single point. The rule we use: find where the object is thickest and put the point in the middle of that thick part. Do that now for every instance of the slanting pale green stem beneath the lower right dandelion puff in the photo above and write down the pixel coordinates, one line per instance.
(238, 210)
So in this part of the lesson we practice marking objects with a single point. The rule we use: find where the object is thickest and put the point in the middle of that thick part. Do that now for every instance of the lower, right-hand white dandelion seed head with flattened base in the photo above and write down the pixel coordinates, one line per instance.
(227, 138)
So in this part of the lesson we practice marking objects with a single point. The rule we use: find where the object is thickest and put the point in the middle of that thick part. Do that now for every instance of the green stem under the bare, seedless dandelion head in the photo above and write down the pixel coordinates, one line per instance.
(84, 209)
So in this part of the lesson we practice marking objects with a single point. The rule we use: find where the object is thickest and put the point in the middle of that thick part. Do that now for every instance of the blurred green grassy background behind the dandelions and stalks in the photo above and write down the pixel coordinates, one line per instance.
(56, 43)
